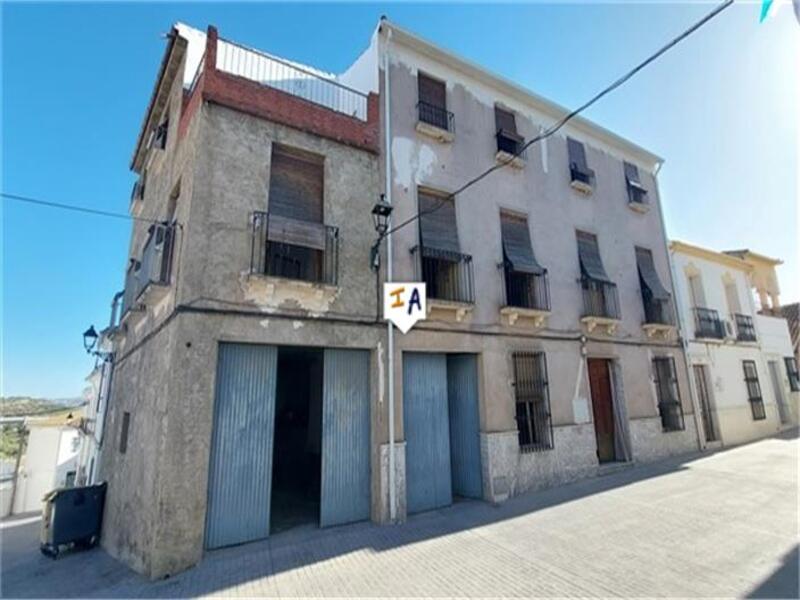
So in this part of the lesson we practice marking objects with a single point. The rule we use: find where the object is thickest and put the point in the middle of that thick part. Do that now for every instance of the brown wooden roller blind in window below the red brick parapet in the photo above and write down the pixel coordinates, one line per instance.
(295, 186)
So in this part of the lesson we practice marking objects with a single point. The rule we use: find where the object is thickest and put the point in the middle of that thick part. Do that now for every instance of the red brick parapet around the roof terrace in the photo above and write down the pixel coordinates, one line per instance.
(275, 105)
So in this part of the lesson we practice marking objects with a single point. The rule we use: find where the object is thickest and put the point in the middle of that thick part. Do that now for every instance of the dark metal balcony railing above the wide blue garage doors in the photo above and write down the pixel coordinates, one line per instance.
(316, 263)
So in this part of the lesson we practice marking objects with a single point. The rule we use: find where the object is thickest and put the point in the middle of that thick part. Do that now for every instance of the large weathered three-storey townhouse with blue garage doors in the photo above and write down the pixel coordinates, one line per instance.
(255, 385)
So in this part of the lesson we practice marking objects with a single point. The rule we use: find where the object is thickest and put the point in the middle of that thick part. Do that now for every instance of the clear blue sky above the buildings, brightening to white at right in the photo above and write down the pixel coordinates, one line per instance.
(721, 108)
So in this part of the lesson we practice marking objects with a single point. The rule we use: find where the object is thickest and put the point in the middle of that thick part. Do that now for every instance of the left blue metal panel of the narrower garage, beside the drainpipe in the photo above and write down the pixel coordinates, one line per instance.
(427, 431)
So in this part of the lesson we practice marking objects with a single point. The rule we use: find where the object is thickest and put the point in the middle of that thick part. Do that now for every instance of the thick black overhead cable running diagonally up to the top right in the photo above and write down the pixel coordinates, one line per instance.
(564, 120)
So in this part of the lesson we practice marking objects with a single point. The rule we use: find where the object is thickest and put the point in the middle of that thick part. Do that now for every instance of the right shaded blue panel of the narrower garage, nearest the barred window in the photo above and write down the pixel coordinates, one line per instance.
(465, 444)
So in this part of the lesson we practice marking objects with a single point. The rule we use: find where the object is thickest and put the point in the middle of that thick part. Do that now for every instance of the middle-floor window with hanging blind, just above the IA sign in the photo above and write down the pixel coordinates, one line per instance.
(446, 272)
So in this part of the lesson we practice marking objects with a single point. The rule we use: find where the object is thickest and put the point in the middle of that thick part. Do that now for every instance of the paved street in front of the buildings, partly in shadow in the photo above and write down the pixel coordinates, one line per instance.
(724, 524)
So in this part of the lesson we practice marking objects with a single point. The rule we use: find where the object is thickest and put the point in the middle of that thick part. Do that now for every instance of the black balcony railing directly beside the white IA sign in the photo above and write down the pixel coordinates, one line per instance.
(447, 275)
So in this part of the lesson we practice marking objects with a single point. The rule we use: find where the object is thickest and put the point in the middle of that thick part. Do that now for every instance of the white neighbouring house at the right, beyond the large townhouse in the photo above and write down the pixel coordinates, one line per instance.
(731, 373)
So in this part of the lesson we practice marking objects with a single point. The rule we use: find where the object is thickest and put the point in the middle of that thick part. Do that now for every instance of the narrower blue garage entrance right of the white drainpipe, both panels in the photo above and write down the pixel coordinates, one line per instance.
(442, 431)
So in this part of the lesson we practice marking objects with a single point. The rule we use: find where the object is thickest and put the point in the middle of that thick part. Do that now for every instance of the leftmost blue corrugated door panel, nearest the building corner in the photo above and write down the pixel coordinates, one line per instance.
(240, 471)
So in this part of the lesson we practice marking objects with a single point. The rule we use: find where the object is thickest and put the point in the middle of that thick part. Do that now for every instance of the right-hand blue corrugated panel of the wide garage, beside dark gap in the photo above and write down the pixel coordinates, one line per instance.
(345, 438)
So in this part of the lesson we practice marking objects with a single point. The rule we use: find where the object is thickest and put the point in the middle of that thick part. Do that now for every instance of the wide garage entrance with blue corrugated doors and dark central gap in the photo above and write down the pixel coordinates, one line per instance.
(290, 441)
